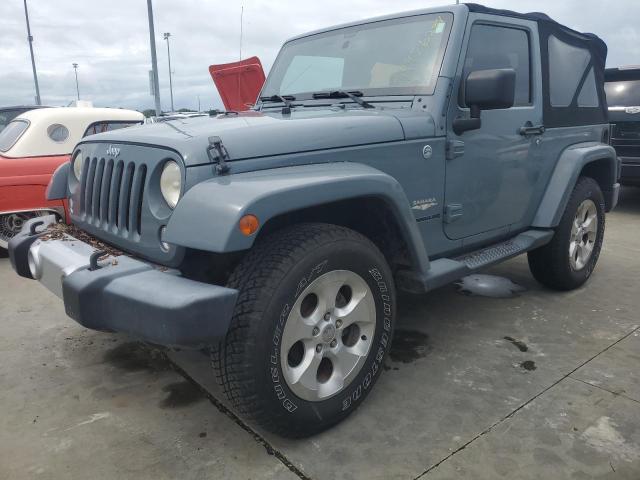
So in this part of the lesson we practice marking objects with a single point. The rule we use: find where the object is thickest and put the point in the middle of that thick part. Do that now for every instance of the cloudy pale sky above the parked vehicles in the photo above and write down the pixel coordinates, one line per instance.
(110, 41)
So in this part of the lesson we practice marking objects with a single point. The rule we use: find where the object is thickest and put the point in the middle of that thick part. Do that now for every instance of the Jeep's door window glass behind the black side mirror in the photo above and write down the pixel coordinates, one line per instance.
(492, 46)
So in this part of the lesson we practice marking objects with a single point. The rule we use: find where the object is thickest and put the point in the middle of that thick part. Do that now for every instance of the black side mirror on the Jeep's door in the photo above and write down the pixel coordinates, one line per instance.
(486, 90)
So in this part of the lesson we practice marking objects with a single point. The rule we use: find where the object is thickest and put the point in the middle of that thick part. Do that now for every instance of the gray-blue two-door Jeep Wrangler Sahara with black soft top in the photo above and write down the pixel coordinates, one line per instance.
(403, 152)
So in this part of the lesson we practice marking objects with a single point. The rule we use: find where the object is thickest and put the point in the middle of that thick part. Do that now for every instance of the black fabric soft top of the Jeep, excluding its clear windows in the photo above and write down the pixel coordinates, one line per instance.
(573, 114)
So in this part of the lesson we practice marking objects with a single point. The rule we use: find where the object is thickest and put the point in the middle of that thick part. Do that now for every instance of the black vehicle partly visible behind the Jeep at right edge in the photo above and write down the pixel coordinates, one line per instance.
(623, 96)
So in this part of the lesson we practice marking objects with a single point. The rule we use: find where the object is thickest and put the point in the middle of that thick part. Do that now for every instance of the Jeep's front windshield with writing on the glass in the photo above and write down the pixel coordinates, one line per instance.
(390, 57)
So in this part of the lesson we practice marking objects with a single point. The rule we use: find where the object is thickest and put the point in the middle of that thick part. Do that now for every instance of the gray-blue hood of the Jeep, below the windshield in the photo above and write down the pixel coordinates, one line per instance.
(258, 134)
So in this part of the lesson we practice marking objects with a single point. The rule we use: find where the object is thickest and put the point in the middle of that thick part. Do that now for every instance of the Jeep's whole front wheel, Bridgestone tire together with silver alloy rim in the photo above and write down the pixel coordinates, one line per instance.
(313, 324)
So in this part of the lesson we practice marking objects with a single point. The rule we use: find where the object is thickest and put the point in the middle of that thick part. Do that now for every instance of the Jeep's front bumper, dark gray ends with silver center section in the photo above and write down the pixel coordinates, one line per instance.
(124, 294)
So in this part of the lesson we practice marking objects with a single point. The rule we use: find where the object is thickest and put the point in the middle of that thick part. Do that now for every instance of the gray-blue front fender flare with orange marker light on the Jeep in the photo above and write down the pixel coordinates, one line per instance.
(207, 217)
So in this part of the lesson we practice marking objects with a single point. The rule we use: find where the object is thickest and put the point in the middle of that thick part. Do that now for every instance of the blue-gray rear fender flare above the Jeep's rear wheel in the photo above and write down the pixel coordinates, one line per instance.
(564, 177)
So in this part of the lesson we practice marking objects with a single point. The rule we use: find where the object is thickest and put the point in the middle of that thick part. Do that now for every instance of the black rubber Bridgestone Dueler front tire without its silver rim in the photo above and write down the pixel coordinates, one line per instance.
(270, 279)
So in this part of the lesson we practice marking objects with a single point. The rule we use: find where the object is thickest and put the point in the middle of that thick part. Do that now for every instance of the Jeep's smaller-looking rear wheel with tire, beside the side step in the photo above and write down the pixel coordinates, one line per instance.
(567, 262)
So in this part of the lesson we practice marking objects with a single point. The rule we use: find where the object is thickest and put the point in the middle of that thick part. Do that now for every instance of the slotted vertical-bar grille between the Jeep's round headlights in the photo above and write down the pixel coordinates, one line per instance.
(111, 195)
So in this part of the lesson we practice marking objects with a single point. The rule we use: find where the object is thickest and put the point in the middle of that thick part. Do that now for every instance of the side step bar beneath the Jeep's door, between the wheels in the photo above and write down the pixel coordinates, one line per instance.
(447, 270)
